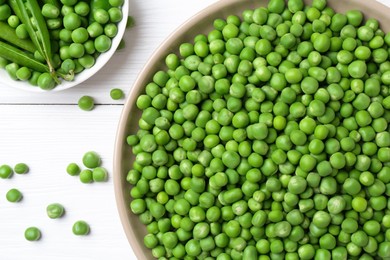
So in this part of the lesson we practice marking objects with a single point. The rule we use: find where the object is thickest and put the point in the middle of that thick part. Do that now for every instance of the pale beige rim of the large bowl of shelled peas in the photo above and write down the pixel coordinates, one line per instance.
(145, 74)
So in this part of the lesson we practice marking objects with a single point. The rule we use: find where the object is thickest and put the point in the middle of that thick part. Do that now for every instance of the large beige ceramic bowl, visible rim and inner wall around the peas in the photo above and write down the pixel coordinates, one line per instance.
(200, 23)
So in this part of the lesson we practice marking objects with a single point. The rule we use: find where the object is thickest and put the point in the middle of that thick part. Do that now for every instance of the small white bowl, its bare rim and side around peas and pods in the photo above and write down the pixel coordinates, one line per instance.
(84, 75)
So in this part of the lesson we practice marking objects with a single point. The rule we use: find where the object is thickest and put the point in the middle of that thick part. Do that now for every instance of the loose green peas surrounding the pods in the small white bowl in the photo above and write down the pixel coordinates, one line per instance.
(79, 32)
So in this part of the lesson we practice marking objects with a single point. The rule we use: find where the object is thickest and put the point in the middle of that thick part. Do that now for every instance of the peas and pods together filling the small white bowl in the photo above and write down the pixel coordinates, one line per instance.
(45, 42)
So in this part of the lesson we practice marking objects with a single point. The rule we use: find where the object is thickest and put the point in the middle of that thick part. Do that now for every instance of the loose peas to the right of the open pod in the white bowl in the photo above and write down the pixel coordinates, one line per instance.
(86, 31)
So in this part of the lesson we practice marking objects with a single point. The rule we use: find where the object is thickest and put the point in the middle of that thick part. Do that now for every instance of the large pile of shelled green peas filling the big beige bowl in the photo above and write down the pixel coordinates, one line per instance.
(268, 138)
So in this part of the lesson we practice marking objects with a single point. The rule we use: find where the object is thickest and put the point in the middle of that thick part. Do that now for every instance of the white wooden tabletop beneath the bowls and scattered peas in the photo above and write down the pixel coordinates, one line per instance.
(48, 131)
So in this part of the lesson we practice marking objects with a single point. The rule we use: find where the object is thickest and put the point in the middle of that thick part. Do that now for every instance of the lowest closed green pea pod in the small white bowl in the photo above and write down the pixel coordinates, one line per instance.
(19, 57)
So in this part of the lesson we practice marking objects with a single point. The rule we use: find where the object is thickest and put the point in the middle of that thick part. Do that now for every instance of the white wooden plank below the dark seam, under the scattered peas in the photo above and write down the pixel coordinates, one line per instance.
(47, 138)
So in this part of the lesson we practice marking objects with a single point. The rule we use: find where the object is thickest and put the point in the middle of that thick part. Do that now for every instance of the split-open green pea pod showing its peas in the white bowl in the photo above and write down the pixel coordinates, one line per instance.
(39, 33)
